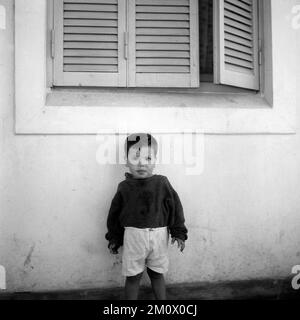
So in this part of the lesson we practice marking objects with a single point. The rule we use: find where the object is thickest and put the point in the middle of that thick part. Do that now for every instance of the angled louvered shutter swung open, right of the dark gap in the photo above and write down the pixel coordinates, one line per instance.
(236, 41)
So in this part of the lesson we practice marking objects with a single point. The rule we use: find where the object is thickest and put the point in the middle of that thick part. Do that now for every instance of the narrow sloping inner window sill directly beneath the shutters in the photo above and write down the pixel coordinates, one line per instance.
(116, 98)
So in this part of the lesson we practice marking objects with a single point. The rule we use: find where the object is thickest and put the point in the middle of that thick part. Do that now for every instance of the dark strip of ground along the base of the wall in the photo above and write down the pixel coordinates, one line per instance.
(248, 289)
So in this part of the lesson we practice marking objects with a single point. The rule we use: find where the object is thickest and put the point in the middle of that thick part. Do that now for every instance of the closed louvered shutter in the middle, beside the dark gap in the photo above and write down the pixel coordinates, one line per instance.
(163, 43)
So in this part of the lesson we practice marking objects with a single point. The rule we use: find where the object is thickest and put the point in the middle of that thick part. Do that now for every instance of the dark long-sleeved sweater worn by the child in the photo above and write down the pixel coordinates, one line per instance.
(145, 203)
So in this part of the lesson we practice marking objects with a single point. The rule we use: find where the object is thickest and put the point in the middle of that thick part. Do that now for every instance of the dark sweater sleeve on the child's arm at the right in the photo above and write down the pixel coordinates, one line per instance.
(176, 226)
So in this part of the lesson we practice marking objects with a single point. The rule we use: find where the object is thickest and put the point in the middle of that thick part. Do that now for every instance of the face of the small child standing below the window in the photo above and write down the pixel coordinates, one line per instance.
(141, 161)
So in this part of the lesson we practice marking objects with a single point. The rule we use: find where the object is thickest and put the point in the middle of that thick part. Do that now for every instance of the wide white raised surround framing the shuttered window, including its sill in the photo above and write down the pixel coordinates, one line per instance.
(41, 111)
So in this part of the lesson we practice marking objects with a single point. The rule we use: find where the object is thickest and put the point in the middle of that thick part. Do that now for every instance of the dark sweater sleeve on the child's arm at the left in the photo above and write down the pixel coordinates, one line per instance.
(115, 230)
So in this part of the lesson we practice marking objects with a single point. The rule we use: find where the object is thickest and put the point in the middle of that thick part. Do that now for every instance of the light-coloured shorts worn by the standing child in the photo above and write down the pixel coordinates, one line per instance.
(145, 247)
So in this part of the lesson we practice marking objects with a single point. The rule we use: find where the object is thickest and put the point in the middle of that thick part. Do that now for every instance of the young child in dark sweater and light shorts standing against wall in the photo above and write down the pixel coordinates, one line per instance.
(143, 212)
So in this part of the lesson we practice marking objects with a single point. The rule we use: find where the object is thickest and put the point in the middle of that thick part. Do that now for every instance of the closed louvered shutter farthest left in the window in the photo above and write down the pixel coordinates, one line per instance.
(88, 36)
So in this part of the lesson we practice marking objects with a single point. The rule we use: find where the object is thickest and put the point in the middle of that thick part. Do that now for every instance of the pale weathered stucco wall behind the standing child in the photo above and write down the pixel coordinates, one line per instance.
(242, 212)
